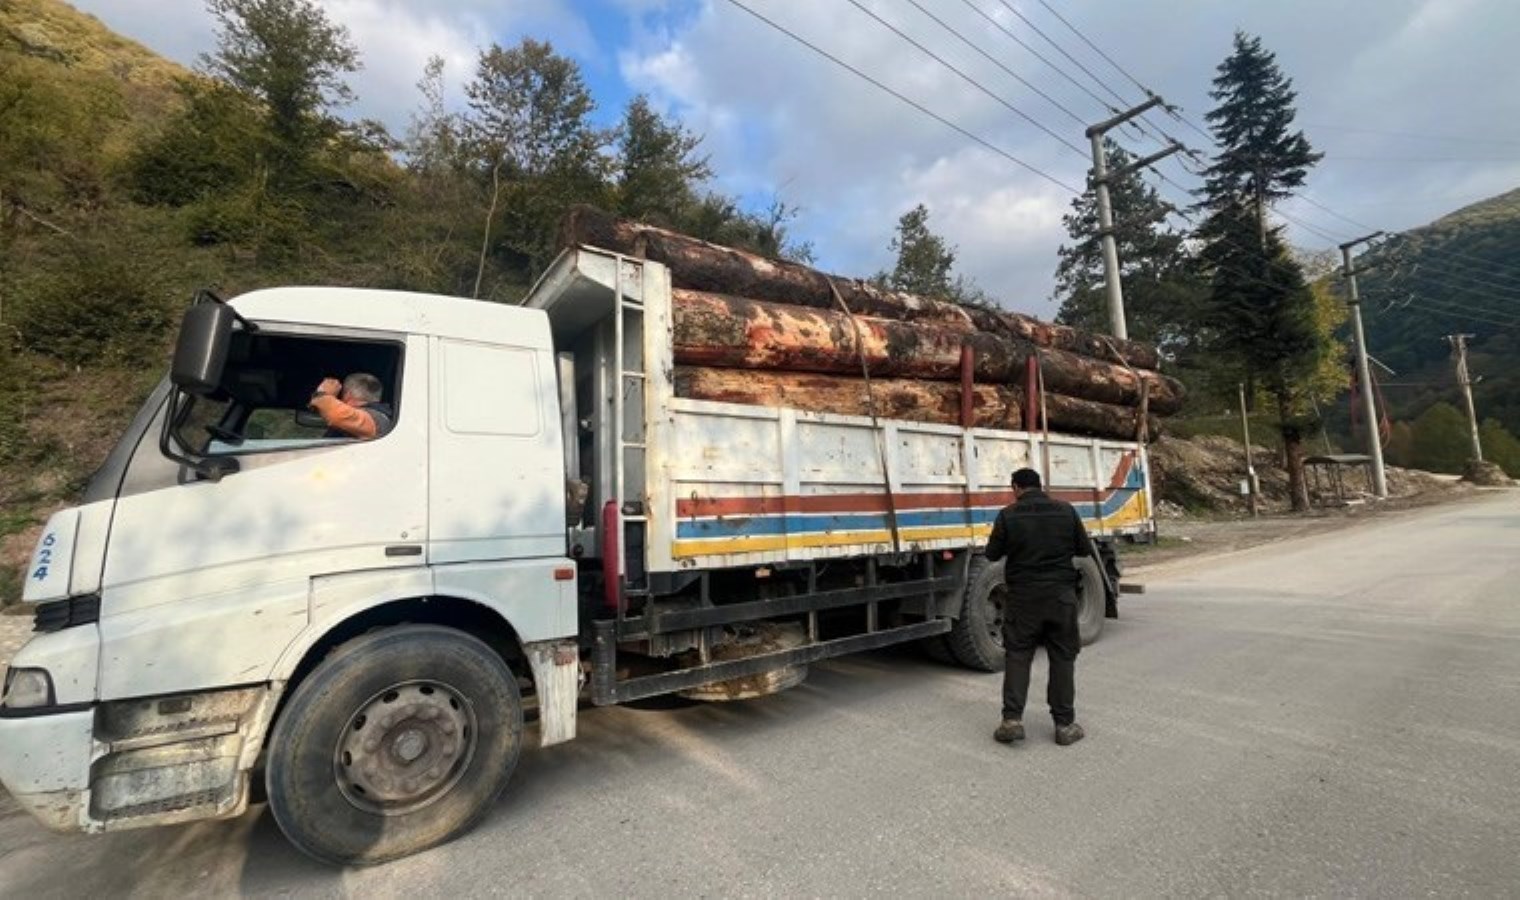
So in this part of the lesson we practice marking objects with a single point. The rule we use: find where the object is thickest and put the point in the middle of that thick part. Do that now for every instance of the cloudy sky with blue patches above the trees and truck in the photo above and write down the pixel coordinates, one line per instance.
(1410, 100)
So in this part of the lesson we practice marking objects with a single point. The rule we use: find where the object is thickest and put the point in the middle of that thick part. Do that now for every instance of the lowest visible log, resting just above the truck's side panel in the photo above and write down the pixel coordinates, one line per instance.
(905, 399)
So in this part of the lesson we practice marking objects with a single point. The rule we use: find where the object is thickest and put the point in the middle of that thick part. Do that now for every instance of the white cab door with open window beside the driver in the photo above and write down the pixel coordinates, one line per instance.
(207, 582)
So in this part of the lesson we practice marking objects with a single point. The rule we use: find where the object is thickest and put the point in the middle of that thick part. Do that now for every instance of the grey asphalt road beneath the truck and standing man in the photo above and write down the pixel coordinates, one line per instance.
(1332, 717)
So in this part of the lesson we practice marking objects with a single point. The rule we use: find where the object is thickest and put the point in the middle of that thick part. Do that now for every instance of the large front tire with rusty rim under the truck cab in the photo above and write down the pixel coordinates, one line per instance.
(399, 741)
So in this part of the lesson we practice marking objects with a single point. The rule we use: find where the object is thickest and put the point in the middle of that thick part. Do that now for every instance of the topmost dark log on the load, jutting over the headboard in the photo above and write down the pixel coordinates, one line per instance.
(721, 270)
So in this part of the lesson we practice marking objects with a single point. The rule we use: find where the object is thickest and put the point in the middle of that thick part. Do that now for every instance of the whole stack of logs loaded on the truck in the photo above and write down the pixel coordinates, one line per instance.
(777, 334)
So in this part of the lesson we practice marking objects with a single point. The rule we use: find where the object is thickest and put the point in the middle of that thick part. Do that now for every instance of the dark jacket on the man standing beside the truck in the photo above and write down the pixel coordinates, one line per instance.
(1039, 536)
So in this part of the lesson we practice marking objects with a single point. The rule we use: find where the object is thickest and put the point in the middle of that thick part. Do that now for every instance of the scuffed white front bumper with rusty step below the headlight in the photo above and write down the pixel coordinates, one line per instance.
(138, 762)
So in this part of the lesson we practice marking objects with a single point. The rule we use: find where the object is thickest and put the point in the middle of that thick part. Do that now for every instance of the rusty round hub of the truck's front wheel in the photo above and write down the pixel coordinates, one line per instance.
(405, 747)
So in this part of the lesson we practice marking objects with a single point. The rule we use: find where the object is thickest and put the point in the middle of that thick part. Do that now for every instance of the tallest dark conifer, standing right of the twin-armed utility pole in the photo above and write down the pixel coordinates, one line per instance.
(1262, 318)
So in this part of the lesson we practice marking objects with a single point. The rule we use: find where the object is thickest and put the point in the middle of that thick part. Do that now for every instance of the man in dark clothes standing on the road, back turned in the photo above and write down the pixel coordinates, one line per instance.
(1039, 537)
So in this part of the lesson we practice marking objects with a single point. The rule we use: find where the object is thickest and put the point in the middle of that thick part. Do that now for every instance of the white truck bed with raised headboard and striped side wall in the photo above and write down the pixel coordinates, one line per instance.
(724, 486)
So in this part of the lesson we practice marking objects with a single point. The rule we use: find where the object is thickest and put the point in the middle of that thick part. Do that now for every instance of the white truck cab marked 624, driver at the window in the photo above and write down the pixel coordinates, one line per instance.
(229, 534)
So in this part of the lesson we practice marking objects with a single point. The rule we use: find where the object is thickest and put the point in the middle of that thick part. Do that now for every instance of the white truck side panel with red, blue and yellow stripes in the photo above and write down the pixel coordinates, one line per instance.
(755, 486)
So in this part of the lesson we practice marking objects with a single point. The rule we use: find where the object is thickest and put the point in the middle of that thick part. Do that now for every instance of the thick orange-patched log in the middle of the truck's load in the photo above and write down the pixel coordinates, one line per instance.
(733, 332)
